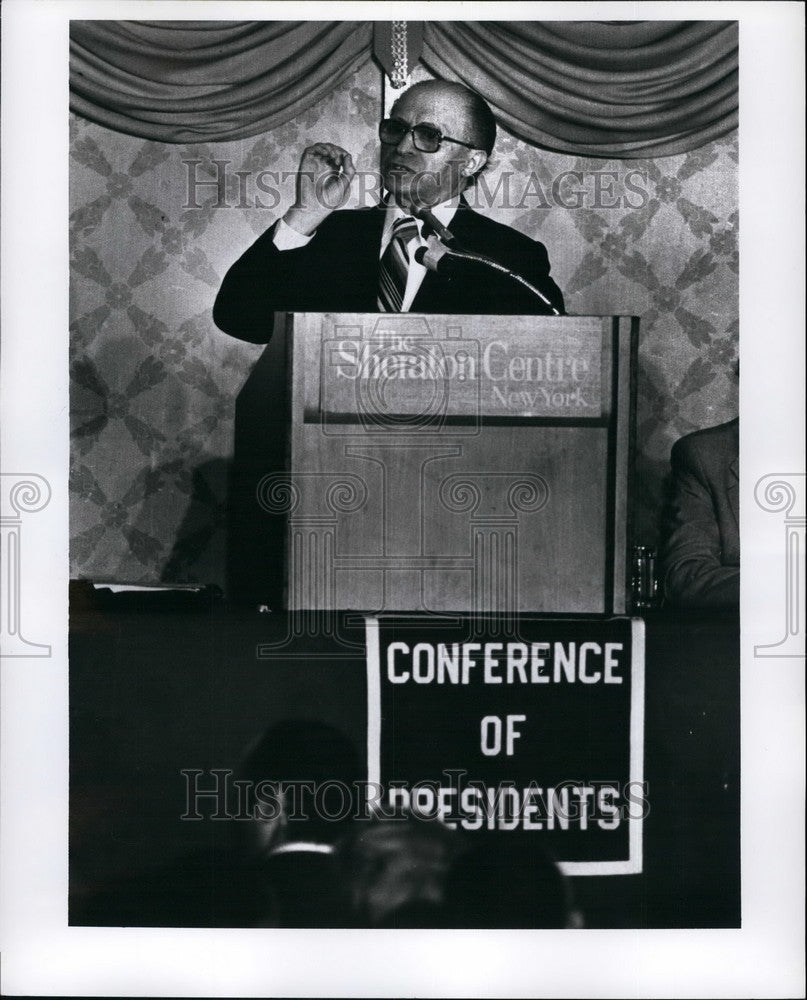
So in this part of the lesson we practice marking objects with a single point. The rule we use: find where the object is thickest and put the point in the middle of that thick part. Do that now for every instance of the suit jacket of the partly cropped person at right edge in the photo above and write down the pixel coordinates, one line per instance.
(702, 554)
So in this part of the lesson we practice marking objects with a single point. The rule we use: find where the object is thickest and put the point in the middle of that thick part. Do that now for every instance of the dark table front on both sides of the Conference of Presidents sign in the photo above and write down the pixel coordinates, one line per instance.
(163, 683)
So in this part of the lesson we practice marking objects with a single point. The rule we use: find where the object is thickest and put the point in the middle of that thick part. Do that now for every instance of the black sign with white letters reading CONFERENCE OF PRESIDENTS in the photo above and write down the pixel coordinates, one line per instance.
(536, 731)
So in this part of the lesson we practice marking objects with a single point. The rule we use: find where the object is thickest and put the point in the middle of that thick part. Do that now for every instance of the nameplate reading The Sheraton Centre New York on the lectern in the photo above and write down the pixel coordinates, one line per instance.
(401, 369)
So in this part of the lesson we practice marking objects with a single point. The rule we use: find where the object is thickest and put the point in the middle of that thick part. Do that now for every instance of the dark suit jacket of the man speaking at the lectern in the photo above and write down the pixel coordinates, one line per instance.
(338, 272)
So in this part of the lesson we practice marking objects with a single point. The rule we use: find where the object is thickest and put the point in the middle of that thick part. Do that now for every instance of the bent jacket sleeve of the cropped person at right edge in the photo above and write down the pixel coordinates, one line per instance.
(694, 575)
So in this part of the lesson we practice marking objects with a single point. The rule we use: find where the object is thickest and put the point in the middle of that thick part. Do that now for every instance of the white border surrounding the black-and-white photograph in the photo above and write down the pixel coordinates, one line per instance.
(41, 954)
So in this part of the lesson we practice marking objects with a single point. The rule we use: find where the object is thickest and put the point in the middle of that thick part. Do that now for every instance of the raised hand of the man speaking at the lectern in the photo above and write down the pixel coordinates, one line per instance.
(323, 185)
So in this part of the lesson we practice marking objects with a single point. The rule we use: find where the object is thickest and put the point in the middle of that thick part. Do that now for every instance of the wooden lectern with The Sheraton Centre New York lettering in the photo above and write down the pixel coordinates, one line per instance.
(457, 463)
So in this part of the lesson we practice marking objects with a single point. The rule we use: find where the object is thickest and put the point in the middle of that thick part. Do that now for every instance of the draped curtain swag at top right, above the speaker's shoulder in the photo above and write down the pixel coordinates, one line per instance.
(650, 88)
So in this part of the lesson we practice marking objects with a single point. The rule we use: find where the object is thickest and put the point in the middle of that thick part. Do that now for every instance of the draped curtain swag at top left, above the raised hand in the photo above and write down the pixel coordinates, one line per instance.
(208, 81)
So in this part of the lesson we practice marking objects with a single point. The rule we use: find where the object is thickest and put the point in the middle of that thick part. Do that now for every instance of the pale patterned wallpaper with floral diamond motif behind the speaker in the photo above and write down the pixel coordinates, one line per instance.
(154, 384)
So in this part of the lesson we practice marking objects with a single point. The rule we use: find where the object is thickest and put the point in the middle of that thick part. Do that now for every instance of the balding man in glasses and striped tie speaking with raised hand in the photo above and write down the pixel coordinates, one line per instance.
(318, 259)
